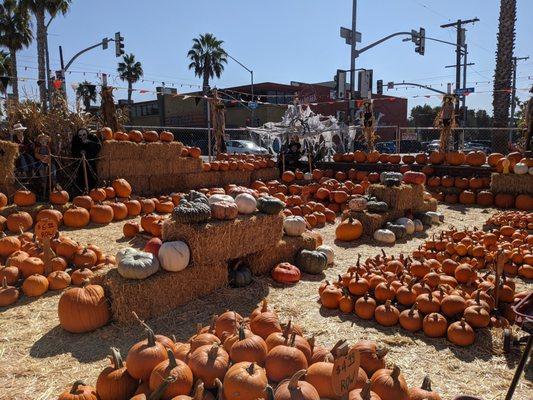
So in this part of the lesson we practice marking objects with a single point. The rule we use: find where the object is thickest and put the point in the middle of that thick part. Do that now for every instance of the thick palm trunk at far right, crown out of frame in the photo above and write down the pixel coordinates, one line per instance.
(503, 73)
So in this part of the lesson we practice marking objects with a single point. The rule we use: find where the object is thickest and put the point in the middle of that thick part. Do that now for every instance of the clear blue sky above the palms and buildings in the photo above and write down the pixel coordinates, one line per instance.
(284, 40)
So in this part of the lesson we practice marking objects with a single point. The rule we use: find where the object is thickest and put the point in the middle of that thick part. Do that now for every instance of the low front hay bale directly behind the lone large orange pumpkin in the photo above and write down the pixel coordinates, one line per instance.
(161, 292)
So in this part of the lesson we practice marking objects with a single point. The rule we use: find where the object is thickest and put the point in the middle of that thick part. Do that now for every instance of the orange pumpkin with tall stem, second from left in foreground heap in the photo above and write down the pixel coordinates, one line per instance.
(114, 382)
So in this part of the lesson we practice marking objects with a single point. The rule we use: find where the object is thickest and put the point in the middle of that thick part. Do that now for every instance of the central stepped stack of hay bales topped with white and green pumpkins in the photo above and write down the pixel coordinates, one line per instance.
(256, 239)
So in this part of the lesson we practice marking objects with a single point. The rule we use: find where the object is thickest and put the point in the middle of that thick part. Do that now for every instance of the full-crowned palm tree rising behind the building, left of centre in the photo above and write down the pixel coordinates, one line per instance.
(207, 58)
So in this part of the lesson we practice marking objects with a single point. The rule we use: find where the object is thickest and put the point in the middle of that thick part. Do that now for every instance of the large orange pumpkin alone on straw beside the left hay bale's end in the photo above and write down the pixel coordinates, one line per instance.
(83, 309)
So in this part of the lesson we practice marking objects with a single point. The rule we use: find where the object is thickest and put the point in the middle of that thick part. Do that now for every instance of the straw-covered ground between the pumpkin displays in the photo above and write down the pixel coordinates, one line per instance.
(38, 359)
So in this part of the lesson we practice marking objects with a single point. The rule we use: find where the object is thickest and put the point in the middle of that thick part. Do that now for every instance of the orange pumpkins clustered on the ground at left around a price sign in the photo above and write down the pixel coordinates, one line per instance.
(25, 267)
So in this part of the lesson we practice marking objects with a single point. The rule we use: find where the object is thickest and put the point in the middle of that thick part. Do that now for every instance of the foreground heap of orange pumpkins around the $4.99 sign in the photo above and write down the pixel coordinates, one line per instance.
(238, 358)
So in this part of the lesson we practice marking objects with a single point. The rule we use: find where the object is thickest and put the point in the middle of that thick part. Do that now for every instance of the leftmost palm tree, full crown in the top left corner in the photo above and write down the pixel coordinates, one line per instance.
(15, 34)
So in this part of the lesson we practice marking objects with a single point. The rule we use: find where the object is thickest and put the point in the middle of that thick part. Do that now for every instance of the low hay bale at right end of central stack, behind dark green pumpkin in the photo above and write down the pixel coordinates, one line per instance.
(284, 251)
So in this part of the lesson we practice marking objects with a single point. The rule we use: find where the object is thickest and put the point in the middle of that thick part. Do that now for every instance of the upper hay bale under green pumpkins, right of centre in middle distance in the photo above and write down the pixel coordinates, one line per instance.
(402, 197)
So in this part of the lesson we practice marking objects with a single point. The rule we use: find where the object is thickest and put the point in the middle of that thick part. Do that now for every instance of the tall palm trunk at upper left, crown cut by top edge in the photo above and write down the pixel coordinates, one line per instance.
(39, 8)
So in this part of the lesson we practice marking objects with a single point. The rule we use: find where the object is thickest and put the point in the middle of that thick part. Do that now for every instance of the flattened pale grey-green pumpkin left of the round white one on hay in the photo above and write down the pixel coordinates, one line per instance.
(135, 264)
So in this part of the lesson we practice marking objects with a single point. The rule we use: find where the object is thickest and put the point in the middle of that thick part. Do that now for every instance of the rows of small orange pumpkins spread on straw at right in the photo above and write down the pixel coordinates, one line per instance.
(438, 287)
